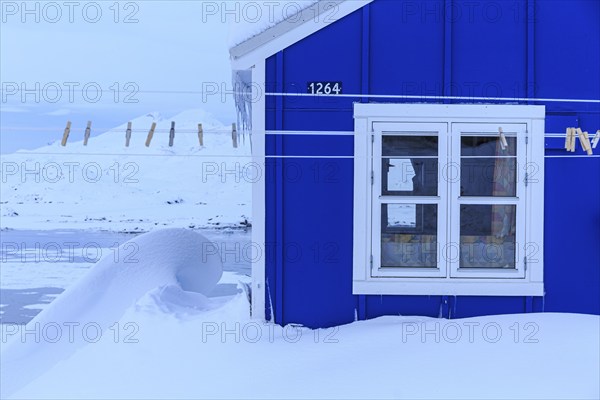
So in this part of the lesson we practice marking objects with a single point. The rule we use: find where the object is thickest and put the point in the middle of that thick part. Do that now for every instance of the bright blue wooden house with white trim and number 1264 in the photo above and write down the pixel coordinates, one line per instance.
(425, 158)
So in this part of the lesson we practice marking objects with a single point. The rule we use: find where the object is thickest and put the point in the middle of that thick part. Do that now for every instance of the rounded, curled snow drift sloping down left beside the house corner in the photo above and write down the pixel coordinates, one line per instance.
(181, 263)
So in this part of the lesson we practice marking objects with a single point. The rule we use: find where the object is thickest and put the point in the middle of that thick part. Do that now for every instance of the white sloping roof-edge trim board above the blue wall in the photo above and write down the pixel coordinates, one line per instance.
(291, 30)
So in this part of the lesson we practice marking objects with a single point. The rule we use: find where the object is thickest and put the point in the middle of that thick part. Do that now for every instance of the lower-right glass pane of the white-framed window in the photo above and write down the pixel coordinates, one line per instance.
(487, 236)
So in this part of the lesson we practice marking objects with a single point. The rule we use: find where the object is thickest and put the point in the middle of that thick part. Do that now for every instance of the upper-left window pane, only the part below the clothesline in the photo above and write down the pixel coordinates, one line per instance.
(409, 176)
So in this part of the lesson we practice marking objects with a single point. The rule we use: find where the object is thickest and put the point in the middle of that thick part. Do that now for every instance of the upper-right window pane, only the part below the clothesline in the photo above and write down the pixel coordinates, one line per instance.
(488, 177)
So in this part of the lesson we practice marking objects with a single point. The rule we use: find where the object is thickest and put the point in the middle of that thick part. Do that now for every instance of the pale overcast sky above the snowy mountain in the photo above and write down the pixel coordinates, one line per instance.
(142, 55)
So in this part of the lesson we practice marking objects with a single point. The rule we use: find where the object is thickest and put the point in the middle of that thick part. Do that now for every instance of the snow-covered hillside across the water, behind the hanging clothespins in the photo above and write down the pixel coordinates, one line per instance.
(106, 185)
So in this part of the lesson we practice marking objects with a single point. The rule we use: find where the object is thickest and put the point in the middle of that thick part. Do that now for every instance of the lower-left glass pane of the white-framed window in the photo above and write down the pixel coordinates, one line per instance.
(409, 235)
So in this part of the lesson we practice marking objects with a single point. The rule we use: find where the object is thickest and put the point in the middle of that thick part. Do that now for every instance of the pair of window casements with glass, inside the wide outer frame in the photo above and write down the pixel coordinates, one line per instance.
(411, 200)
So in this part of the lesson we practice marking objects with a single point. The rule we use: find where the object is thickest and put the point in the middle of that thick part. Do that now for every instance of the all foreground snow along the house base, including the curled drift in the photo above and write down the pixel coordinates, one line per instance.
(148, 330)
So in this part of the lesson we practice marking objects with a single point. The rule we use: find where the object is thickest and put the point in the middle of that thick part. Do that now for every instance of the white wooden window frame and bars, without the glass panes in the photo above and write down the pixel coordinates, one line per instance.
(524, 122)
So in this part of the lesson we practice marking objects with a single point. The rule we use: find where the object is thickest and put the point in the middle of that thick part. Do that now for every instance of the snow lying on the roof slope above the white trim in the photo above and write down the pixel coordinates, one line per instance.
(257, 17)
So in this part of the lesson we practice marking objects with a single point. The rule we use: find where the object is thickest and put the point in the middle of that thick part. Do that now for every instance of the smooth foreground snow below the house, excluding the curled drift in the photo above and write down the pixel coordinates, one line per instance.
(221, 353)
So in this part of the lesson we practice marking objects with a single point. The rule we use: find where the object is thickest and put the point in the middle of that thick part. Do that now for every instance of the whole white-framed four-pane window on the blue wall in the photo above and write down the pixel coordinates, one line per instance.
(448, 201)
